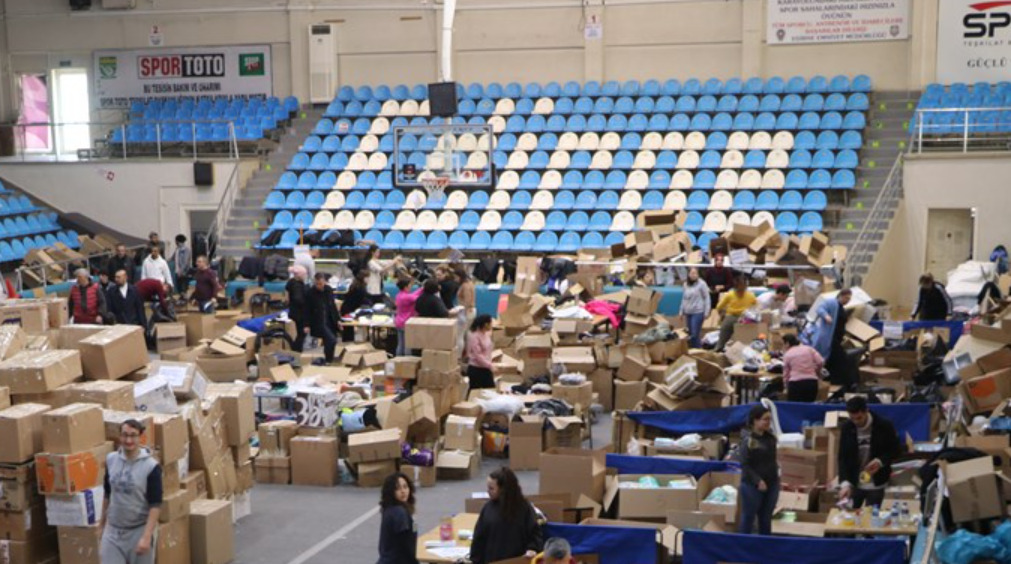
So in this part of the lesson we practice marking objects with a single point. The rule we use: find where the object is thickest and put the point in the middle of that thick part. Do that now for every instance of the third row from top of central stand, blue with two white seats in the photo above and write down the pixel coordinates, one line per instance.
(599, 123)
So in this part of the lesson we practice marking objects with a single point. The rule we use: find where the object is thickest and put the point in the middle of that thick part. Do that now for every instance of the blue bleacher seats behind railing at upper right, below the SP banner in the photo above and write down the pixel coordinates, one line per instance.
(989, 106)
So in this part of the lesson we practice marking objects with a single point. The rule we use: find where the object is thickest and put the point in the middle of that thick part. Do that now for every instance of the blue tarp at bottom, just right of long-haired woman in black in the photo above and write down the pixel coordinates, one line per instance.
(615, 545)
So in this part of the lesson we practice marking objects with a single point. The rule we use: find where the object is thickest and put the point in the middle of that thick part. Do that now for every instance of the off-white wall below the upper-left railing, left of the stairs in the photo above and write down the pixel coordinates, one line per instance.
(135, 199)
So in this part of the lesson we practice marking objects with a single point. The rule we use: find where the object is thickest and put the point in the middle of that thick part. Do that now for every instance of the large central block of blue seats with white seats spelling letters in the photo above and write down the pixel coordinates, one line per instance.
(579, 161)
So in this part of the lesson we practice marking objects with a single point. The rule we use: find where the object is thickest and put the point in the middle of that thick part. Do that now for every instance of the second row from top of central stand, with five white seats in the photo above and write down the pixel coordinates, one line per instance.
(625, 106)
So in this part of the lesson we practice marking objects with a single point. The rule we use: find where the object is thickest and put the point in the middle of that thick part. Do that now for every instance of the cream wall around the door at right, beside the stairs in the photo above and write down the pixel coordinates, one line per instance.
(942, 182)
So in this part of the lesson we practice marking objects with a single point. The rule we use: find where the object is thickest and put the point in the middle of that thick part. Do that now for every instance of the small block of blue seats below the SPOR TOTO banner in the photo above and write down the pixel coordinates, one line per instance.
(186, 121)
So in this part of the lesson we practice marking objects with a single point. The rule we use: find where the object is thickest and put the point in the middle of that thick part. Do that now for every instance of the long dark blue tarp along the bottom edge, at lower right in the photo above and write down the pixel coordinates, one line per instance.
(712, 548)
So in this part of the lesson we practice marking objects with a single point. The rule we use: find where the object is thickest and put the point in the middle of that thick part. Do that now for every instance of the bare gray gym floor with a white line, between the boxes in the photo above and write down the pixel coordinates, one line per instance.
(290, 523)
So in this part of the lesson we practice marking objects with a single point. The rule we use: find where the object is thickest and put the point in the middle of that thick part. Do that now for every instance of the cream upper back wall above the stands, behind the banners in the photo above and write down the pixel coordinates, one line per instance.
(397, 41)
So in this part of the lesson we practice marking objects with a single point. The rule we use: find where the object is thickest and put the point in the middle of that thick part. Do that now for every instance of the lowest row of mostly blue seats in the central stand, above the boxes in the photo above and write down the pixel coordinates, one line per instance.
(568, 241)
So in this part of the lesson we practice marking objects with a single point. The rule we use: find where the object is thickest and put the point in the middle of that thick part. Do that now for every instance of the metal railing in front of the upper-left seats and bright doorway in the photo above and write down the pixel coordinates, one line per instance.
(124, 140)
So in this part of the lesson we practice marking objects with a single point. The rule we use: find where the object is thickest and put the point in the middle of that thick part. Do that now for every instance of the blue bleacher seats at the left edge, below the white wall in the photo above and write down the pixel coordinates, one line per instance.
(25, 227)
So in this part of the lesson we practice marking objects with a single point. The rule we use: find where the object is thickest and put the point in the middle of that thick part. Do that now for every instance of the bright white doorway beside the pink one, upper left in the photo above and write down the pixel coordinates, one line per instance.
(71, 111)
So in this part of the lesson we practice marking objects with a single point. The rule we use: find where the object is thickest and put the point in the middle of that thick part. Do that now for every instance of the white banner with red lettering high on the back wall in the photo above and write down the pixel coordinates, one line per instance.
(826, 22)
